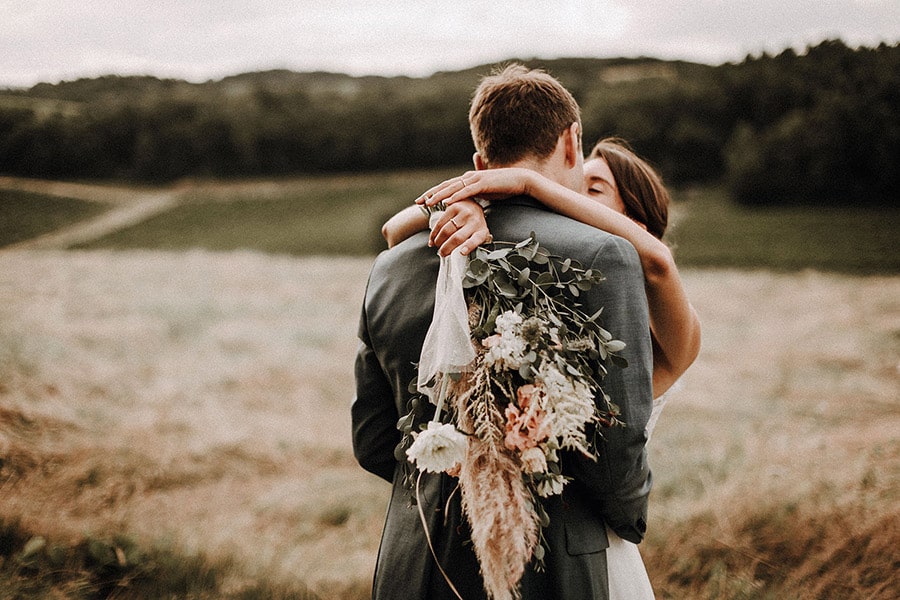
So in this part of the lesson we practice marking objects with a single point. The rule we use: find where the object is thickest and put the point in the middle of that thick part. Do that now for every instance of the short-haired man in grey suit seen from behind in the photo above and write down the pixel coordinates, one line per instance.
(526, 119)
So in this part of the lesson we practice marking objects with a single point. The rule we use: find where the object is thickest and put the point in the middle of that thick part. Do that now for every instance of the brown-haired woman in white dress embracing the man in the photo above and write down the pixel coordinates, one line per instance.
(623, 195)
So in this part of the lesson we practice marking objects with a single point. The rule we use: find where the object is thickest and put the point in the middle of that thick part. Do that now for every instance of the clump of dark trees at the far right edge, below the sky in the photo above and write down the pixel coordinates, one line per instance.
(825, 129)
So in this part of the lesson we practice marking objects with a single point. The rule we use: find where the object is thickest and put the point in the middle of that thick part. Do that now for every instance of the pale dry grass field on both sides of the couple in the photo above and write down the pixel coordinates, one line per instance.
(201, 400)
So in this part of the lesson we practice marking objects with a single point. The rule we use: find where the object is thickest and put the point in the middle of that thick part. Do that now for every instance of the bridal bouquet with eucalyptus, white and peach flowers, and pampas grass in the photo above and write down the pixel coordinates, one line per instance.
(526, 388)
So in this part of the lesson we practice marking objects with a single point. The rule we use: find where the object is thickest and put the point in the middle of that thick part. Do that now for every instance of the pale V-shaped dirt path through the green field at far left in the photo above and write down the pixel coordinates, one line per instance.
(128, 206)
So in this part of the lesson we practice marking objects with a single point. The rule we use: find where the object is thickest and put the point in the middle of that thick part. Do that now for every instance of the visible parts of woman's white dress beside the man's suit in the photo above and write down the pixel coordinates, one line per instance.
(628, 579)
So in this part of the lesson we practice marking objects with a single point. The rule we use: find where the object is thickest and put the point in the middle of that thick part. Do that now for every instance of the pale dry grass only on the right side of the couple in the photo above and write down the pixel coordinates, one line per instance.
(784, 443)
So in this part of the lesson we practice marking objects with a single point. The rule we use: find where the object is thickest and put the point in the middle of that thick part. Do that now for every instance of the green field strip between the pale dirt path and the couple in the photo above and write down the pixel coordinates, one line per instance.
(329, 215)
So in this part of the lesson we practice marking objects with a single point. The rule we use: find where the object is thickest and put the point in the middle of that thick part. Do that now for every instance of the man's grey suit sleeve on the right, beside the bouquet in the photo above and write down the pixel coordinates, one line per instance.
(619, 481)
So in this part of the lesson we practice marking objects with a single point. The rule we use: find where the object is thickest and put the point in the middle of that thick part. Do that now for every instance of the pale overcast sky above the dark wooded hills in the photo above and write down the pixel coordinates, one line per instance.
(53, 40)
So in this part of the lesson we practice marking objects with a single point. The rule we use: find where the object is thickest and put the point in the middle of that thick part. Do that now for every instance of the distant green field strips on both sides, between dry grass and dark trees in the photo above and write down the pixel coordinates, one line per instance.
(343, 214)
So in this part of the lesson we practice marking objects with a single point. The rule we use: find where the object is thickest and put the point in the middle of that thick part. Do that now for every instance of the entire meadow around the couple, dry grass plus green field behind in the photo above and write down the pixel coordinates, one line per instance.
(174, 404)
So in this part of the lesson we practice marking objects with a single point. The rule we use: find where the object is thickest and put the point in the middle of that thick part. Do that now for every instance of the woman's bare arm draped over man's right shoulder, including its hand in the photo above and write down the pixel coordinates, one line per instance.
(673, 321)
